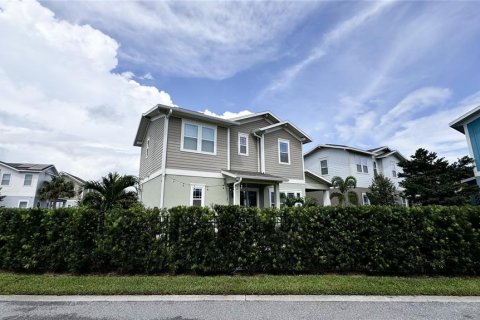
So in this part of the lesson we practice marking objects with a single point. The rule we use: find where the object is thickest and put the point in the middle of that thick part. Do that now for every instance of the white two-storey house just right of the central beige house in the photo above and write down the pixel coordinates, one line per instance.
(329, 160)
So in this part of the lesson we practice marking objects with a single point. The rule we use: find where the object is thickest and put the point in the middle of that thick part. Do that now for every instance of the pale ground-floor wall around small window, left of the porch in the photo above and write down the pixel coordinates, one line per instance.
(178, 188)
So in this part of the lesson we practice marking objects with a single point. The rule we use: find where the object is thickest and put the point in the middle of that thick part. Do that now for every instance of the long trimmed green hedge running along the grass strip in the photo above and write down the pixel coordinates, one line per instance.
(232, 239)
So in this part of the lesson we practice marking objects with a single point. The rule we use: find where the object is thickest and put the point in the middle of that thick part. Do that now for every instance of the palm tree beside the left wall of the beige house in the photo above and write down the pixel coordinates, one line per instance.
(110, 192)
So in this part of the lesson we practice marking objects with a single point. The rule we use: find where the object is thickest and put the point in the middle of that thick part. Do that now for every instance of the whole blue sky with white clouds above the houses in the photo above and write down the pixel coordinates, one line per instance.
(75, 76)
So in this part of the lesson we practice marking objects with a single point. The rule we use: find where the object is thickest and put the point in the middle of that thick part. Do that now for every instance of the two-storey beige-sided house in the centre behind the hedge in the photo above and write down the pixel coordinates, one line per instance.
(189, 158)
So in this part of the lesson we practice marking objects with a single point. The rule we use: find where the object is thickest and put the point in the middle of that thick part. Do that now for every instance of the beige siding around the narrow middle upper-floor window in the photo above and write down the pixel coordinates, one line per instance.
(250, 162)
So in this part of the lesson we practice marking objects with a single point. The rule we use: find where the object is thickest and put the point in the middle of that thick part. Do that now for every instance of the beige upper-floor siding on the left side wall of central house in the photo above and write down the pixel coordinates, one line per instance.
(153, 162)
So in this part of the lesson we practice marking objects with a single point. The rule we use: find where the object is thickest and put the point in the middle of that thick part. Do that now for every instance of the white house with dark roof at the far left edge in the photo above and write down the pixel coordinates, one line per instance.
(20, 183)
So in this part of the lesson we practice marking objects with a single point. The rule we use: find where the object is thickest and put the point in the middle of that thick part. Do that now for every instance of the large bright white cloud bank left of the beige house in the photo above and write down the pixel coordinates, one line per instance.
(60, 101)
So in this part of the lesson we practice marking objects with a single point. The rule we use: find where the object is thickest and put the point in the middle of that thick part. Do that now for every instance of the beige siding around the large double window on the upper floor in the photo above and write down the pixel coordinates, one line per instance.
(178, 159)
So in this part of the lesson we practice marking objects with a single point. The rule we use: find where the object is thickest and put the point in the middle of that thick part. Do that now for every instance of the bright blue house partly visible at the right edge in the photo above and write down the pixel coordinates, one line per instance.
(469, 125)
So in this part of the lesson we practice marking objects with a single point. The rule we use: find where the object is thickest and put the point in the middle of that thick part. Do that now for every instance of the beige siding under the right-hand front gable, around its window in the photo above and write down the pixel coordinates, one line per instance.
(294, 170)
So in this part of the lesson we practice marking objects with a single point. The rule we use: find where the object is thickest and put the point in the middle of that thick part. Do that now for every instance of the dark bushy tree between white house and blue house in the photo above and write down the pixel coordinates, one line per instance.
(431, 180)
